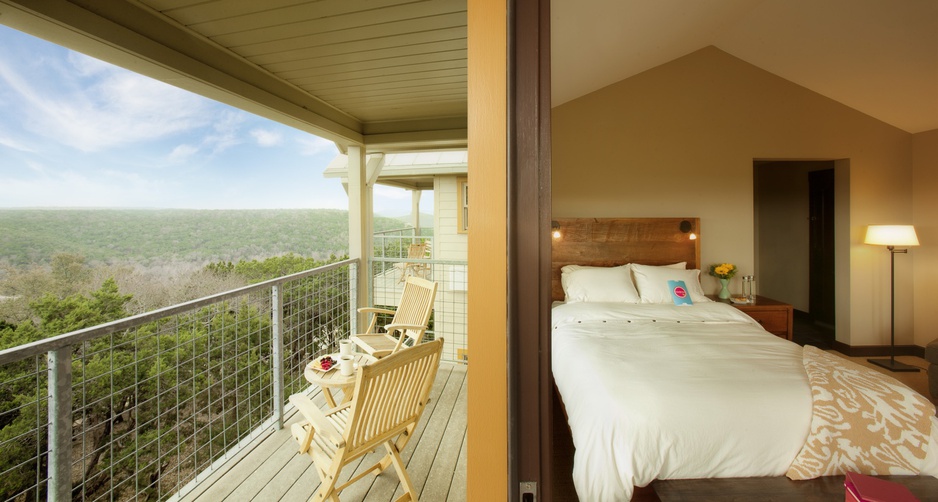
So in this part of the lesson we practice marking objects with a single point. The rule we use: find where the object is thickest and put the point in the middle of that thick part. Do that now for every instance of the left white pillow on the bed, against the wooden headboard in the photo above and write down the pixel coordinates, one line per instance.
(598, 284)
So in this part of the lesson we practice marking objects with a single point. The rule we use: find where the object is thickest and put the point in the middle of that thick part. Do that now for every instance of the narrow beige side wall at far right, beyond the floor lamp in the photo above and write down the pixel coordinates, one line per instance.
(925, 218)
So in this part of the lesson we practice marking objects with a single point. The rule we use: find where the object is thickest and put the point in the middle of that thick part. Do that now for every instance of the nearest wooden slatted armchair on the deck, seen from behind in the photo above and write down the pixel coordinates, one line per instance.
(389, 397)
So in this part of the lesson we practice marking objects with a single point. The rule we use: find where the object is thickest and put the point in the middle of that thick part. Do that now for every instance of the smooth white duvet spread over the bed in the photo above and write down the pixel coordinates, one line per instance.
(660, 391)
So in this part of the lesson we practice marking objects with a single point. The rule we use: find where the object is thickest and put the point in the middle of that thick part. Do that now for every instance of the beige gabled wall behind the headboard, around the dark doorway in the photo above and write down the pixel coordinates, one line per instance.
(680, 139)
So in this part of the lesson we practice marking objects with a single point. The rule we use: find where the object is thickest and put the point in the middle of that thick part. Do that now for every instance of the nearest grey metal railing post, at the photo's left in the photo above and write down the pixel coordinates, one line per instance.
(60, 424)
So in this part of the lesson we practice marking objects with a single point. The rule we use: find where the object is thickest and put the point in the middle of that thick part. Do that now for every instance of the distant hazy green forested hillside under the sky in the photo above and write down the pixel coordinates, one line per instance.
(157, 237)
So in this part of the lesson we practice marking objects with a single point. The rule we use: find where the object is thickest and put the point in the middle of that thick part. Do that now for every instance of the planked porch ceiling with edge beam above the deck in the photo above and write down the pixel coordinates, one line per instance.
(389, 74)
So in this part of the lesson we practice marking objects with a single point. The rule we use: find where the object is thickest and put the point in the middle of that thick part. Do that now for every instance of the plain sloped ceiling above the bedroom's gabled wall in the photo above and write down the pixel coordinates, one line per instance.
(877, 56)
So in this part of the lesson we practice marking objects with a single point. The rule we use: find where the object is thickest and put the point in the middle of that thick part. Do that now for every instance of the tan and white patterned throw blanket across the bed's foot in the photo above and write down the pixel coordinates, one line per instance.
(863, 421)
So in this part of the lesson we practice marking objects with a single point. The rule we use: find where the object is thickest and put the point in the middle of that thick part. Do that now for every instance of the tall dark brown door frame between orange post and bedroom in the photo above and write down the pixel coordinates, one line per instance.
(529, 213)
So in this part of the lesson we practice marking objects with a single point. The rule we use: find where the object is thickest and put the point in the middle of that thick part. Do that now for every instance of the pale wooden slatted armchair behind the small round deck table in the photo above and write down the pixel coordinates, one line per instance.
(409, 322)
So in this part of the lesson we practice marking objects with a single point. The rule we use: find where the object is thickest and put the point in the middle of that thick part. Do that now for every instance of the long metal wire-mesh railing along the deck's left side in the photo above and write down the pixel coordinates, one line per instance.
(139, 408)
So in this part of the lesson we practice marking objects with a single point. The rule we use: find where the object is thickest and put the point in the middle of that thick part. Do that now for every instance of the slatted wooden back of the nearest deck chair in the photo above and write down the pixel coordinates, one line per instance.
(390, 395)
